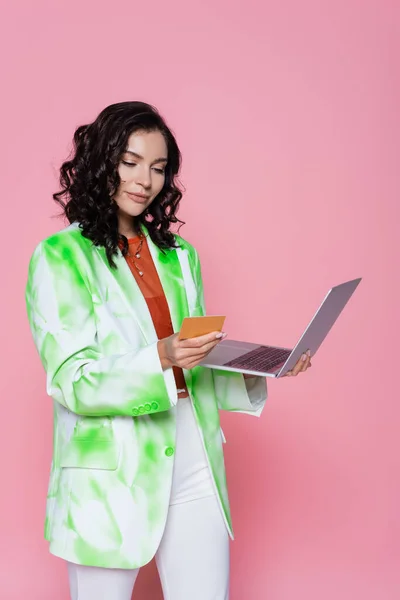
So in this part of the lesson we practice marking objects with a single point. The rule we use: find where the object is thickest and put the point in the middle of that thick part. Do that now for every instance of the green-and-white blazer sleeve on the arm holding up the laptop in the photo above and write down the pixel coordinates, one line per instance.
(234, 392)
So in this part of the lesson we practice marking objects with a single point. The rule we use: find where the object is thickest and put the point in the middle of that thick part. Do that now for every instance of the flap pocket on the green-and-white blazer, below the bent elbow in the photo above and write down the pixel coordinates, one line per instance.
(84, 453)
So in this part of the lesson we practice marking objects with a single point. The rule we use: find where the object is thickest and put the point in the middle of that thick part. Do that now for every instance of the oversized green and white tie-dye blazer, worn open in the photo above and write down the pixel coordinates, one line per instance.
(114, 415)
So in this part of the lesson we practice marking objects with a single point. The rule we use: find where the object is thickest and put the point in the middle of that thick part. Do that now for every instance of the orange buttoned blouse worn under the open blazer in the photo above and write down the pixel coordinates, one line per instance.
(151, 288)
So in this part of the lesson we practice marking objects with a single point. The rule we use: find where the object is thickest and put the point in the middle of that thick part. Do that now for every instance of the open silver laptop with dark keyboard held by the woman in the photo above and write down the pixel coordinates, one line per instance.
(272, 361)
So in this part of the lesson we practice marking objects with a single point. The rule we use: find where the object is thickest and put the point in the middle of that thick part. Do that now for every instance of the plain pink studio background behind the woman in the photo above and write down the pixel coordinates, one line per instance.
(287, 116)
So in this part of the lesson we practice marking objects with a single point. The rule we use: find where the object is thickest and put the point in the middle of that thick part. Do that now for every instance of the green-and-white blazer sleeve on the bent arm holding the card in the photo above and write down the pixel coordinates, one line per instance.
(79, 375)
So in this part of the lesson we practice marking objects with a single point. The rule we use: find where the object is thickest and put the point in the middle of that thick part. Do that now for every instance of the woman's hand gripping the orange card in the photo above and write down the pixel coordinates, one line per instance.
(187, 354)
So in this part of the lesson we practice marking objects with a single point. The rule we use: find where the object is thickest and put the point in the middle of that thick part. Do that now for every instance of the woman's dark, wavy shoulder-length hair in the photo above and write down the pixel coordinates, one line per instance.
(89, 179)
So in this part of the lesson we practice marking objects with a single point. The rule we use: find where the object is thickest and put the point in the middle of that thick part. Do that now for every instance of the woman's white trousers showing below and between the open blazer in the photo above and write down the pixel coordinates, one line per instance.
(193, 556)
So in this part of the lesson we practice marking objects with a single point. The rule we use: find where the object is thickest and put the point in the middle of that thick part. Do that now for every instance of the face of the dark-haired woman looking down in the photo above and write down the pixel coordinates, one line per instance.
(142, 173)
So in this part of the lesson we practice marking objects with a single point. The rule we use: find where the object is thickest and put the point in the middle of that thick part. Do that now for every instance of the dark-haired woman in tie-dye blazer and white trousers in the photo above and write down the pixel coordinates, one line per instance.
(138, 465)
